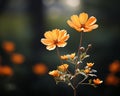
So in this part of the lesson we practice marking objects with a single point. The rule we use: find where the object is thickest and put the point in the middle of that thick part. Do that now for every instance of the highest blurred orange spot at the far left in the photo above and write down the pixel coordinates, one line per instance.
(8, 46)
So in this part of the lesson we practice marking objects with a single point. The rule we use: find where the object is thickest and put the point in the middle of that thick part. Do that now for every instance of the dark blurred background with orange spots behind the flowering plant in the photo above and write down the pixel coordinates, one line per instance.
(25, 62)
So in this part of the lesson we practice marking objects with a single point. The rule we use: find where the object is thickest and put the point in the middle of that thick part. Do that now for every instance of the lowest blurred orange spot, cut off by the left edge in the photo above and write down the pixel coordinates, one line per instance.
(6, 70)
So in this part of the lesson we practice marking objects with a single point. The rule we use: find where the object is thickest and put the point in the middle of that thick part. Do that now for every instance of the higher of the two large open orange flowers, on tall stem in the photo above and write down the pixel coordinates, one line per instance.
(82, 23)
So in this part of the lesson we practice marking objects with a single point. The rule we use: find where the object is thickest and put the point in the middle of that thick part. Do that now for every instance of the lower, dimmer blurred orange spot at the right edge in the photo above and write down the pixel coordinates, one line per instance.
(112, 80)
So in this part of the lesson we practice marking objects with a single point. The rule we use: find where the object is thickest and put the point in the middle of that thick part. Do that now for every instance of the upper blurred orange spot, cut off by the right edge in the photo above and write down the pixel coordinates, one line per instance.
(115, 67)
